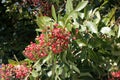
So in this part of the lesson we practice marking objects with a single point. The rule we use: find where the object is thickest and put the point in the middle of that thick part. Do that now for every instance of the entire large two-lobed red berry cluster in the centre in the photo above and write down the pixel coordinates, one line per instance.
(57, 42)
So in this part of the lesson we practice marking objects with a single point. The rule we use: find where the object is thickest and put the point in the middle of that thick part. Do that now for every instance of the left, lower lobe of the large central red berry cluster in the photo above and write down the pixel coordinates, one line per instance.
(35, 51)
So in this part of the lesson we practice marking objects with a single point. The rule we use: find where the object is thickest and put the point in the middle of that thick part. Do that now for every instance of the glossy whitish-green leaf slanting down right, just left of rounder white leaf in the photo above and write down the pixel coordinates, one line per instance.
(91, 26)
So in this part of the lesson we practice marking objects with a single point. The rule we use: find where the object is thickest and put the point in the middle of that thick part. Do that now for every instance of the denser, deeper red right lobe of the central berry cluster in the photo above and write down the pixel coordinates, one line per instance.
(60, 40)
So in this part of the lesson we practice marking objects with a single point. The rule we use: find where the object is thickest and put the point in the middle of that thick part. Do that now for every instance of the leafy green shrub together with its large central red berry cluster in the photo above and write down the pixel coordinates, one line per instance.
(79, 42)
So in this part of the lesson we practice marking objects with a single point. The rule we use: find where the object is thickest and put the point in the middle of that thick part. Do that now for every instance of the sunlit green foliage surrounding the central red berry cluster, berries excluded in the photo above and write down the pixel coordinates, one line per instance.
(92, 49)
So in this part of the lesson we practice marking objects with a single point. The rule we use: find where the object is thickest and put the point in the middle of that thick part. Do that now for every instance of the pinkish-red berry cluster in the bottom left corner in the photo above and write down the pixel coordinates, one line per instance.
(10, 71)
